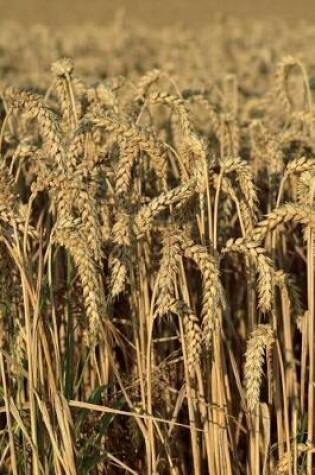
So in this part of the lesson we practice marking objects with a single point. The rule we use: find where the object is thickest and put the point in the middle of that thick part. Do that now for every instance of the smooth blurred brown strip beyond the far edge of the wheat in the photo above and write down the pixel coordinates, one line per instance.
(156, 12)
